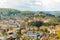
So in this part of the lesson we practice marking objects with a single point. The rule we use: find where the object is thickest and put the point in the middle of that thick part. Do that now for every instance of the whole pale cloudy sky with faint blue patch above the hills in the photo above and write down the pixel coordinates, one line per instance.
(31, 5)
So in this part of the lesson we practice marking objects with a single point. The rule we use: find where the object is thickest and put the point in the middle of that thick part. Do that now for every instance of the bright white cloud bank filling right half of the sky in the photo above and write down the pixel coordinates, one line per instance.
(47, 5)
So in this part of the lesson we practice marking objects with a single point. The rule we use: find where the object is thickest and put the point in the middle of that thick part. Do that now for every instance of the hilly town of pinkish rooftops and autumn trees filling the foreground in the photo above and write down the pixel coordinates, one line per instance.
(28, 25)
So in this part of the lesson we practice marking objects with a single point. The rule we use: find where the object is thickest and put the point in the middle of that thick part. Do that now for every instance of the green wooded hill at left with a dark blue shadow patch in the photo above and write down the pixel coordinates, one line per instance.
(7, 13)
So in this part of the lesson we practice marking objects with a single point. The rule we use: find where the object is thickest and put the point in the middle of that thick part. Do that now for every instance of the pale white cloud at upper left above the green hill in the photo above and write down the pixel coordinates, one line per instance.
(11, 3)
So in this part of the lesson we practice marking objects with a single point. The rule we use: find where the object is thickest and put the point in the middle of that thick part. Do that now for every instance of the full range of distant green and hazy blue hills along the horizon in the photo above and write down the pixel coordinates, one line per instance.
(8, 13)
